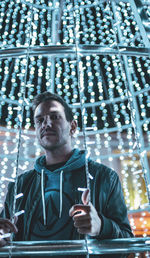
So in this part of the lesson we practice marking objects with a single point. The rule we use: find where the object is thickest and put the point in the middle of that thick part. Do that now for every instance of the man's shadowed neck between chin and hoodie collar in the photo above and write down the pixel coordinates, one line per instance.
(55, 156)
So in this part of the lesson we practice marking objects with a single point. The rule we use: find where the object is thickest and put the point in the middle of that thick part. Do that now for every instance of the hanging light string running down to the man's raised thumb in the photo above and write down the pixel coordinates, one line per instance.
(80, 81)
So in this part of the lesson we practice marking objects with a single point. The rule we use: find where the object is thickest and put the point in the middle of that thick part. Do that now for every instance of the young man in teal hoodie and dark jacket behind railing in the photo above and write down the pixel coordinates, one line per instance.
(51, 200)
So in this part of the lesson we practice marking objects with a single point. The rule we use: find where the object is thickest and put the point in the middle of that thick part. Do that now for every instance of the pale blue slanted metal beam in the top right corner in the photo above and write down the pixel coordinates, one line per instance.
(142, 20)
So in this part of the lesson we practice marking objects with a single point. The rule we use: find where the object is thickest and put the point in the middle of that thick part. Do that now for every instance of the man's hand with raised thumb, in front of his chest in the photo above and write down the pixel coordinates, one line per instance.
(85, 217)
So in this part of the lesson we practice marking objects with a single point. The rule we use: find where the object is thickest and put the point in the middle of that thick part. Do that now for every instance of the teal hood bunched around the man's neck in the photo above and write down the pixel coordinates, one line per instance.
(76, 161)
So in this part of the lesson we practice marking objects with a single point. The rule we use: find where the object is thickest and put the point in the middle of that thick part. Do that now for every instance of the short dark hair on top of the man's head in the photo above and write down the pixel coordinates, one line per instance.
(42, 97)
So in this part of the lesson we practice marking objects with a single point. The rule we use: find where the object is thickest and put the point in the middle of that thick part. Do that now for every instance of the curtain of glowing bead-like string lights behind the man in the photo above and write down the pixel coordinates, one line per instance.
(106, 111)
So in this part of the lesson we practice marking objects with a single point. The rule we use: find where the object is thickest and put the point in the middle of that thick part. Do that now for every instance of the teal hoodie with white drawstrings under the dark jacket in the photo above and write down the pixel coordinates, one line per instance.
(60, 192)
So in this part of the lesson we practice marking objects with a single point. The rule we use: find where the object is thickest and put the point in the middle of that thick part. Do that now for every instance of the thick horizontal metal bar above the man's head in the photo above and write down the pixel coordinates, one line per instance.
(70, 51)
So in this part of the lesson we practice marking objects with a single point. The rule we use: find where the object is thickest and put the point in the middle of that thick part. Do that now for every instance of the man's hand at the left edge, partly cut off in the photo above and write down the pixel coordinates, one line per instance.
(6, 226)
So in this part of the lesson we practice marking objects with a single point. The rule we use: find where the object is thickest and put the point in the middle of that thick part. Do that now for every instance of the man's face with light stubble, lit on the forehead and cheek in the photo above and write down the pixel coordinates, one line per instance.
(52, 128)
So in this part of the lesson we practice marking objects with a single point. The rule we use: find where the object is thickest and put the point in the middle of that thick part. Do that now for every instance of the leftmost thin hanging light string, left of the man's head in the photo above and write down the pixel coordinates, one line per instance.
(21, 111)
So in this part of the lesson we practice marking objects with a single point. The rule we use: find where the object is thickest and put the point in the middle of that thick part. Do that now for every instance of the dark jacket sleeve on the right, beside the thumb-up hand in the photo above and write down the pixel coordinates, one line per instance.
(112, 208)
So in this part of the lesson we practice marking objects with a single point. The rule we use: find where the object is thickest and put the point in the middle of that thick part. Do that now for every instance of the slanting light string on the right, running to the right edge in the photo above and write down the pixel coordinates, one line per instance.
(133, 114)
